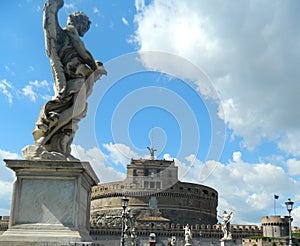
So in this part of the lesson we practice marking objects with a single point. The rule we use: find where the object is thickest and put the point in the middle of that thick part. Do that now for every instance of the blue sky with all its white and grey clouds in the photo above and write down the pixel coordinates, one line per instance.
(212, 84)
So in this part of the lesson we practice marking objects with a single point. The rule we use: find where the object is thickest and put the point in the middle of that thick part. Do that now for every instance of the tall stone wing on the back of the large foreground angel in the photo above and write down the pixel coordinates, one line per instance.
(52, 32)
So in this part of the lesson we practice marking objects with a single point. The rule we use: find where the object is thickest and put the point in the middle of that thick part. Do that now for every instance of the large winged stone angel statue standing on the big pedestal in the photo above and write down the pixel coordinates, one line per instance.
(75, 72)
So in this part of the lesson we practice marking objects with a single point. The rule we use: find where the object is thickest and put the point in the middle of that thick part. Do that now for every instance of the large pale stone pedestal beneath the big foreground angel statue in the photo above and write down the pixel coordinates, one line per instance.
(50, 204)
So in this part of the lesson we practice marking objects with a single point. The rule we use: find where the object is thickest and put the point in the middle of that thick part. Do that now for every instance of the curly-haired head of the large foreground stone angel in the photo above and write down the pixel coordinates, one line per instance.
(80, 21)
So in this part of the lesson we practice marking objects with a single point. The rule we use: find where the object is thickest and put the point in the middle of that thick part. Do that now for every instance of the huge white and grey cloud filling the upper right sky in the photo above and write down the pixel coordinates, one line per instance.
(250, 50)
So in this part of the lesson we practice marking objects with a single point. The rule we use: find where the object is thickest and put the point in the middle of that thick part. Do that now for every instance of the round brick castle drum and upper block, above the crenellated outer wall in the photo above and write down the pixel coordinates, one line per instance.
(155, 195)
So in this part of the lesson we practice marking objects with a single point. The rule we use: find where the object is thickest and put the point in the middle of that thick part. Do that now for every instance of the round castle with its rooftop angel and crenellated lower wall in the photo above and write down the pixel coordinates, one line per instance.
(160, 206)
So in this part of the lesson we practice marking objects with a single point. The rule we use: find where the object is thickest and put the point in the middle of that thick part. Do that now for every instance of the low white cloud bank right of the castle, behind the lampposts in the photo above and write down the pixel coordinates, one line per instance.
(246, 189)
